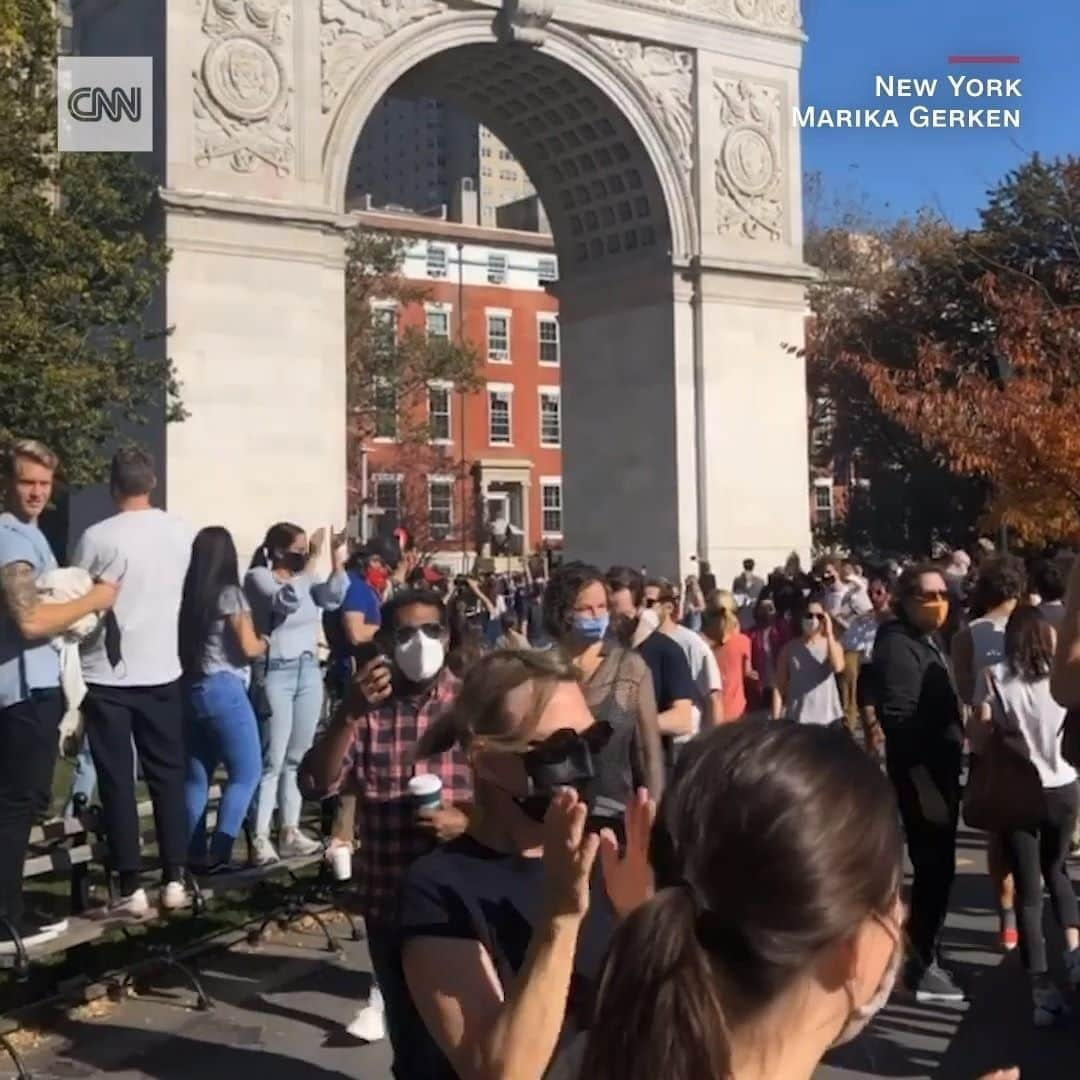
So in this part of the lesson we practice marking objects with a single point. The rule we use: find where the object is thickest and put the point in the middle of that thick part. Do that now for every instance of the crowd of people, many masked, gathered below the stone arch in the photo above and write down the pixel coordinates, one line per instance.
(493, 752)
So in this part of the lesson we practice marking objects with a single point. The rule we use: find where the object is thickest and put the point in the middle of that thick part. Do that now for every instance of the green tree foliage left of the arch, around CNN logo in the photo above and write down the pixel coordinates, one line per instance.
(79, 269)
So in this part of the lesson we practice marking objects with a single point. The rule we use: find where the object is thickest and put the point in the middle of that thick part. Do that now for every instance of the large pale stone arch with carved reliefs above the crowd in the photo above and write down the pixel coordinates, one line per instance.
(659, 137)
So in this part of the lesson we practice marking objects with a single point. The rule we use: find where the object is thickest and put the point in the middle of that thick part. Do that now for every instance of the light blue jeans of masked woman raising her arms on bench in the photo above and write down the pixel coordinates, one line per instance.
(295, 692)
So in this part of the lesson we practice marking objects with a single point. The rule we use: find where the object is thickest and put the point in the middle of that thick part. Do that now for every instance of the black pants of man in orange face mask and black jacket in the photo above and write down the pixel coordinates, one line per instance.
(928, 791)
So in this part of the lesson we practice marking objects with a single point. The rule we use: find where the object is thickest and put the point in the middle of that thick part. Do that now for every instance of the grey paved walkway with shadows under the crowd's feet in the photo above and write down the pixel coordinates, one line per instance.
(281, 1011)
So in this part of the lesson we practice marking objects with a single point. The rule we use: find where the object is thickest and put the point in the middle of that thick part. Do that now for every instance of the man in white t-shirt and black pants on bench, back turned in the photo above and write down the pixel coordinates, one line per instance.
(132, 670)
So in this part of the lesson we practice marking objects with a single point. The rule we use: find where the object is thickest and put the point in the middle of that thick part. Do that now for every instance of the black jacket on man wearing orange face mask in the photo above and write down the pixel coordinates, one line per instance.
(917, 703)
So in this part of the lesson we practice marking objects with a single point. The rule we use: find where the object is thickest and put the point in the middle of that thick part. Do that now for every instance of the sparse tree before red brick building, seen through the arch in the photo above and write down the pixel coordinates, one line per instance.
(390, 363)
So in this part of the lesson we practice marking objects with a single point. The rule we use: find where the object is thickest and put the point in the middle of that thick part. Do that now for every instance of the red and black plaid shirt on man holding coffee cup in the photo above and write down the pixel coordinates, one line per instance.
(377, 768)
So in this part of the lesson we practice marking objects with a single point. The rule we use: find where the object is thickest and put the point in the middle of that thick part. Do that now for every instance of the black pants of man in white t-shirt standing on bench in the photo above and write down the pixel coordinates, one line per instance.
(154, 717)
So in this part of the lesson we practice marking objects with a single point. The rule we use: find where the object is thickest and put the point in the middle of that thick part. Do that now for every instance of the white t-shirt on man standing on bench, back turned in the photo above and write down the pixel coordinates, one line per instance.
(147, 552)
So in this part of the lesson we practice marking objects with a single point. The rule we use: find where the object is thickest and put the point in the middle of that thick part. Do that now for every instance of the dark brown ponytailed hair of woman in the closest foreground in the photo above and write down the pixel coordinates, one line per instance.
(774, 842)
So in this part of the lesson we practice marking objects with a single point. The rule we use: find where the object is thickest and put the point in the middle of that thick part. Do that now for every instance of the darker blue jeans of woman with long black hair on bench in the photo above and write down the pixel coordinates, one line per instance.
(222, 727)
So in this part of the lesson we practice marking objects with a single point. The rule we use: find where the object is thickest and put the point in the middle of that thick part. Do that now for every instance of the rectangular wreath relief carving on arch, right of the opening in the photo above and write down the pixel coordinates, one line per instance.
(749, 168)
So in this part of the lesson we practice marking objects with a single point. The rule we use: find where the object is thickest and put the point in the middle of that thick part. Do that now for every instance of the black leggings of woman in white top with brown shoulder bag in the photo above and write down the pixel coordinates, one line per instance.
(1038, 855)
